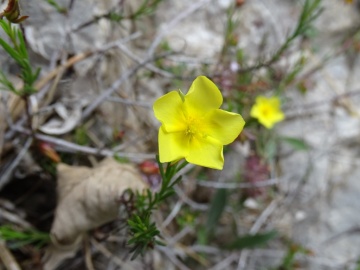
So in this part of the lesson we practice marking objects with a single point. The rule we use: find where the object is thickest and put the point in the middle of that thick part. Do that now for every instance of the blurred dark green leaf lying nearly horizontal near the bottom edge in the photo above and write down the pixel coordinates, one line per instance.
(251, 240)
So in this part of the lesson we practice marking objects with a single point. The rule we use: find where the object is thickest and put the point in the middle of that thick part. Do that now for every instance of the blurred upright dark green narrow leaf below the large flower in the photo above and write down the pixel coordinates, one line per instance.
(217, 207)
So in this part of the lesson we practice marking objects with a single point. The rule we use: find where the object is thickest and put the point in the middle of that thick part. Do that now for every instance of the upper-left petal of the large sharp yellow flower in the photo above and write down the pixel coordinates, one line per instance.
(168, 109)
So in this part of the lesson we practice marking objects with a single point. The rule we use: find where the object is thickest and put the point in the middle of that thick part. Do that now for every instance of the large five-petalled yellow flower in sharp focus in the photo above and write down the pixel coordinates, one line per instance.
(193, 127)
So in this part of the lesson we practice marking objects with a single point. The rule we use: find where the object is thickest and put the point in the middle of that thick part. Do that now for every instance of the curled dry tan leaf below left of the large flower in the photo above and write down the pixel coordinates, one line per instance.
(87, 198)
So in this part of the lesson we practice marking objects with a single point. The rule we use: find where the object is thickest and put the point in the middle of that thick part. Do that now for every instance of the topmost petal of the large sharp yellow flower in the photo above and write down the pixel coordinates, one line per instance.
(203, 96)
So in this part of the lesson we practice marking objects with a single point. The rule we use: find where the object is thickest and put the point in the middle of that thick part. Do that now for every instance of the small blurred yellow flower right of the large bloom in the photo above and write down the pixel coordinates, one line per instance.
(267, 111)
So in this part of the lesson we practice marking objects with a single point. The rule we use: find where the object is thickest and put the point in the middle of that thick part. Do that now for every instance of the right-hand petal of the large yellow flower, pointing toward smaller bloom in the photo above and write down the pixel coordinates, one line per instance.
(223, 126)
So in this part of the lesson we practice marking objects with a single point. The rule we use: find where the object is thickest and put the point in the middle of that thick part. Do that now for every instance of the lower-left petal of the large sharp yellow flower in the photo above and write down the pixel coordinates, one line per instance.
(172, 146)
